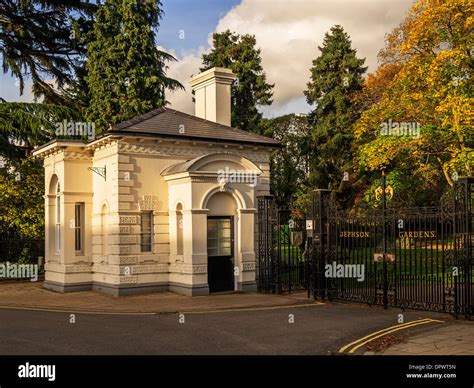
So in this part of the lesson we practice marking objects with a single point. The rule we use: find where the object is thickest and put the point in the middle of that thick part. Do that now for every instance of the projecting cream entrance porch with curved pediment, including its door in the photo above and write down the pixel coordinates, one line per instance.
(217, 193)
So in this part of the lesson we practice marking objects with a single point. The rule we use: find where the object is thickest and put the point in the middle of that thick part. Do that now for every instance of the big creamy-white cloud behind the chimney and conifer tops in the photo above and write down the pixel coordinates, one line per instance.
(289, 32)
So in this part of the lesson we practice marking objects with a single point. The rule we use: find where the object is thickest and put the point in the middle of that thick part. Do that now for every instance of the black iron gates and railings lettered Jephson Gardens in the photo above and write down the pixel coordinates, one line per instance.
(410, 258)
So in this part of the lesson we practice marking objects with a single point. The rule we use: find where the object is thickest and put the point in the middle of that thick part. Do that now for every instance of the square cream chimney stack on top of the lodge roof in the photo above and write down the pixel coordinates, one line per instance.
(212, 91)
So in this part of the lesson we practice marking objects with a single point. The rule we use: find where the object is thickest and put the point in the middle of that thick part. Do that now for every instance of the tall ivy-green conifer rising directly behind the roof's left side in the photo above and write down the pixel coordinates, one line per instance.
(125, 72)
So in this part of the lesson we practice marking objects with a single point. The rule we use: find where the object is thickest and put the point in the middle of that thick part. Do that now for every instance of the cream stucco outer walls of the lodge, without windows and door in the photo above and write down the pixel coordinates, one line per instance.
(135, 183)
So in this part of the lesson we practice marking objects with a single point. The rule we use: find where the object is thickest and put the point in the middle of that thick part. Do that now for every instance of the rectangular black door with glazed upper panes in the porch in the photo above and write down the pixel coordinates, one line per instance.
(220, 241)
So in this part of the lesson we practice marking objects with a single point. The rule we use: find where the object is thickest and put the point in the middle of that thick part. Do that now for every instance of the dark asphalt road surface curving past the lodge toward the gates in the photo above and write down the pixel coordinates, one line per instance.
(319, 329)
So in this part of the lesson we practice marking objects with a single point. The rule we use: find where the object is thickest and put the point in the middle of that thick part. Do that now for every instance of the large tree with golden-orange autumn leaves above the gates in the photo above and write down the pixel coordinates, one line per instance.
(430, 55)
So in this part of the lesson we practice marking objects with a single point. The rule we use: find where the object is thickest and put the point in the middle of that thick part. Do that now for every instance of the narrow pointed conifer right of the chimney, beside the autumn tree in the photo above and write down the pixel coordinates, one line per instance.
(336, 75)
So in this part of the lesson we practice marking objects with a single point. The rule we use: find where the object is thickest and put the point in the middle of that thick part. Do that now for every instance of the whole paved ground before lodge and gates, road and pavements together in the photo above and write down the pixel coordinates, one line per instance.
(34, 320)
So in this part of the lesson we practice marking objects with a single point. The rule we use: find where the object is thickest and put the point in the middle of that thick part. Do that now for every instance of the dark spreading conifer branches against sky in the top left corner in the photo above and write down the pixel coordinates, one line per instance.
(42, 38)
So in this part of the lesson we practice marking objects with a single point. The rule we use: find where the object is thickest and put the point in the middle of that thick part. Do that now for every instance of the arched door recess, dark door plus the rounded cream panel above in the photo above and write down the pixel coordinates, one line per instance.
(221, 226)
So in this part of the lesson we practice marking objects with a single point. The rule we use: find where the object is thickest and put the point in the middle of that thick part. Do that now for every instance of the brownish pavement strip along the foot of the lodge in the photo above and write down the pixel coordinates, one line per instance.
(32, 295)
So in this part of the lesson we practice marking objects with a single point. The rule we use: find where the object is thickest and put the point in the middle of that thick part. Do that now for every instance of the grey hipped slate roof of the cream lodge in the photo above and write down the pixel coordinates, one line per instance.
(168, 122)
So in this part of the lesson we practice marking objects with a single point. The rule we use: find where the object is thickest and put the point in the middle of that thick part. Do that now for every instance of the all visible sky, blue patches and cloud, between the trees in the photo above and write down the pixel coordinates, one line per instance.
(287, 31)
